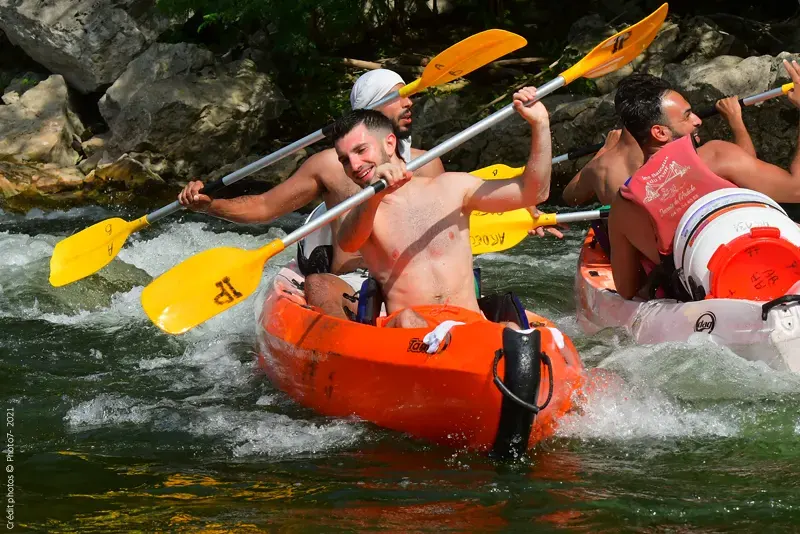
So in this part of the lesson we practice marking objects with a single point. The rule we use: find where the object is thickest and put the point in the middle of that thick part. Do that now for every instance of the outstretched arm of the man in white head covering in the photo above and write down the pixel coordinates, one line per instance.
(295, 192)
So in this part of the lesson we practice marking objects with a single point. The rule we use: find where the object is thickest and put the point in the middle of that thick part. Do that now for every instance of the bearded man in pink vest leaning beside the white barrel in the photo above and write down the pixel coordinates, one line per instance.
(659, 117)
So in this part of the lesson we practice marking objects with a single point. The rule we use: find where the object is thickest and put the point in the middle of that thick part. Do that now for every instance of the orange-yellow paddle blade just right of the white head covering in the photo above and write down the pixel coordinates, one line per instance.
(464, 57)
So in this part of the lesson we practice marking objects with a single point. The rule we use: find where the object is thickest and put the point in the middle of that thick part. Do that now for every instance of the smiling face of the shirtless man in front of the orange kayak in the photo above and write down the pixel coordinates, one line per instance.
(361, 150)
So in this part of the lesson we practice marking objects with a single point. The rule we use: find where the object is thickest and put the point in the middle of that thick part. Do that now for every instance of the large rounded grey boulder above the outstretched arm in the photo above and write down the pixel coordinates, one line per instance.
(172, 100)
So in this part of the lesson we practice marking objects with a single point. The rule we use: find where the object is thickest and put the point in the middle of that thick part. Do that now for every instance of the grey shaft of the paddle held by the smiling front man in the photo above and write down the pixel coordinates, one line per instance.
(421, 161)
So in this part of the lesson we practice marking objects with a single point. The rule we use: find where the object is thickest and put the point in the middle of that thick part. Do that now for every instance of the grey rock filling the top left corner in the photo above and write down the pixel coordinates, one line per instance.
(89, 42)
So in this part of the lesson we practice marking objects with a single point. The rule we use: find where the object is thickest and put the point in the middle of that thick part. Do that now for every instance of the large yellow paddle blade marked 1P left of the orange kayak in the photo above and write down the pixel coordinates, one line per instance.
(205, 285)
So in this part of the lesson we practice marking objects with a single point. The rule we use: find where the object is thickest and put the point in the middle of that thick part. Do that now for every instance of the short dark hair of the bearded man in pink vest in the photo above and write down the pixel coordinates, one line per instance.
(638, 103)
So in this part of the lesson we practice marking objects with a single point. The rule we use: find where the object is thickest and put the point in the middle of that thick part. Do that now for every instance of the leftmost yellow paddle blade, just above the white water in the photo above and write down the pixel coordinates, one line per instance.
(91, 249)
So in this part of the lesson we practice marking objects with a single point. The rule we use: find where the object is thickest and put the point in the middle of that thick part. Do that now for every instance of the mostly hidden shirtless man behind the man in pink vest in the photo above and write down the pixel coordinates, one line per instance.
(621, 155)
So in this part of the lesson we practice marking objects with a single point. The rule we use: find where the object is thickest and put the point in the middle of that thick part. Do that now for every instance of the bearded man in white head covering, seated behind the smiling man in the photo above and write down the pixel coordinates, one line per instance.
(320, 175)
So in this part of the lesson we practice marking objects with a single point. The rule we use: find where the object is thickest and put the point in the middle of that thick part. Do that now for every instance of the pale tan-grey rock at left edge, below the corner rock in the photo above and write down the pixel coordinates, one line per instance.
(40, 127)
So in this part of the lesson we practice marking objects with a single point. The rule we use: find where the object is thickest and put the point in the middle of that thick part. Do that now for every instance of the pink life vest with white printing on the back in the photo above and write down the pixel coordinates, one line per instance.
(671, 180)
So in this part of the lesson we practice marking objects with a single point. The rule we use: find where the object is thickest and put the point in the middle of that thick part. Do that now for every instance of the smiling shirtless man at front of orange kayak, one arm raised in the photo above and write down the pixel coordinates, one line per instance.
(414, 235)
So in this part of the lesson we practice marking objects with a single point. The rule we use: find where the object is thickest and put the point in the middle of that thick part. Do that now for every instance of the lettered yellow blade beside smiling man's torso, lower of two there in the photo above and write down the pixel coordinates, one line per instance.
(494, 232)
